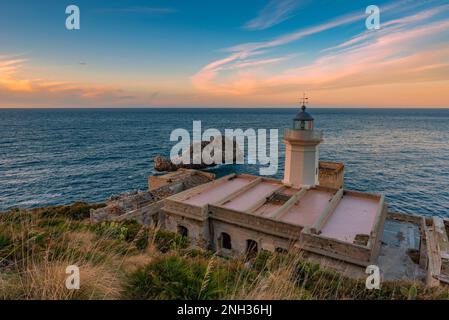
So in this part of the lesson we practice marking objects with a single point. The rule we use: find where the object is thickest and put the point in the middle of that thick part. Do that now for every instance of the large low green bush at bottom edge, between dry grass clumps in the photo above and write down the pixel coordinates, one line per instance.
(173, 276)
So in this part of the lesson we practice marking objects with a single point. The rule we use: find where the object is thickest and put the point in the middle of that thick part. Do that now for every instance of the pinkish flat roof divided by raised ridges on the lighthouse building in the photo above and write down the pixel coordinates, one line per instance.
(336, 214)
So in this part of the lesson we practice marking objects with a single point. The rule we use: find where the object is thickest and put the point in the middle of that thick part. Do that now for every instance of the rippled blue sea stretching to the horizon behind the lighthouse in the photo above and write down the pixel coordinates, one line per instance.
(59, 156)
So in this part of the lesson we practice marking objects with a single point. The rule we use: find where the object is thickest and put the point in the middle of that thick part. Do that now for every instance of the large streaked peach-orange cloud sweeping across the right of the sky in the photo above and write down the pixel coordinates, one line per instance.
(408, 51)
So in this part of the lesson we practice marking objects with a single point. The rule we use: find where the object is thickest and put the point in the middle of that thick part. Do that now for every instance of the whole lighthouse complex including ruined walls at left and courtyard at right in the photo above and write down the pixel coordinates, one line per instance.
(309, 210)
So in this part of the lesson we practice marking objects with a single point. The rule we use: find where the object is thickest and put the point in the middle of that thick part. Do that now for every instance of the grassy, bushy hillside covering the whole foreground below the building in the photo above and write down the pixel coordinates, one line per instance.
(129, 261)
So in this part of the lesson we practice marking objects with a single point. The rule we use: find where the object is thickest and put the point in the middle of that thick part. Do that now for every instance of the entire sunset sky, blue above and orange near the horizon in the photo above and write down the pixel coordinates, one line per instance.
(203, 53)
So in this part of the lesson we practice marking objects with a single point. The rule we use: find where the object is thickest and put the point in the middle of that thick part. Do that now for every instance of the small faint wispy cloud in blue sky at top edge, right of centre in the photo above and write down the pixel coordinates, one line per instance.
(275, 12)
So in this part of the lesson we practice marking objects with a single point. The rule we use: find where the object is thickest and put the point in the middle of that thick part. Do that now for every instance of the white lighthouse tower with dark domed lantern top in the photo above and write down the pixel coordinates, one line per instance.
(302, 150)
